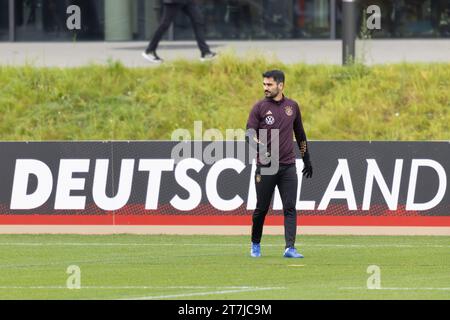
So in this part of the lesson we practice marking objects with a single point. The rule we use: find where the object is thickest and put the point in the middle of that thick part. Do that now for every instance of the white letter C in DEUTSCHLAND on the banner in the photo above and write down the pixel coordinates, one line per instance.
(211, 184)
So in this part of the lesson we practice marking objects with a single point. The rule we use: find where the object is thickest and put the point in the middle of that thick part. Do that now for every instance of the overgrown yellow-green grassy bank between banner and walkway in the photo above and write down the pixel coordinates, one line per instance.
(386, 102)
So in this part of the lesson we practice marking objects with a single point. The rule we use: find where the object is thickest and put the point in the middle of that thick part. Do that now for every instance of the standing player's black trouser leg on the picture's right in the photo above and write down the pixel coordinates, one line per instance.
(287, 184)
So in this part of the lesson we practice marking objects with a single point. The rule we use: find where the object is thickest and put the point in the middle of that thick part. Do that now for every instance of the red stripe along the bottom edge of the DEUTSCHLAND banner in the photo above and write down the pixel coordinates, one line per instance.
(426, 221)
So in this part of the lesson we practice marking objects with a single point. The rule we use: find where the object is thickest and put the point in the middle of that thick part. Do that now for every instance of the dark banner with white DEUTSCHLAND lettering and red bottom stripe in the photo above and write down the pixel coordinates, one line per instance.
(201, 183)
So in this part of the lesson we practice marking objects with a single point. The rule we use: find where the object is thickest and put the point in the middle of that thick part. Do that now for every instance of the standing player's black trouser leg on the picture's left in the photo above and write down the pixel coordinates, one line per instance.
(265, 185)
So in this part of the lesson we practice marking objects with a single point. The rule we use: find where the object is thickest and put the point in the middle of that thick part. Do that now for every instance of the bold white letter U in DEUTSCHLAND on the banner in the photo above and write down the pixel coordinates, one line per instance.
(124, 185)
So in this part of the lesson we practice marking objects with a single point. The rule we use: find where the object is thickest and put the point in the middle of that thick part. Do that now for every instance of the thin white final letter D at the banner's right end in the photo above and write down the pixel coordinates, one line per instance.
(416, 163)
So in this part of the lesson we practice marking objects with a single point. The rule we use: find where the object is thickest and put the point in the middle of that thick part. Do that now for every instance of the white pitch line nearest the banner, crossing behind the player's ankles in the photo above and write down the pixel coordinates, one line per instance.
(106, 244)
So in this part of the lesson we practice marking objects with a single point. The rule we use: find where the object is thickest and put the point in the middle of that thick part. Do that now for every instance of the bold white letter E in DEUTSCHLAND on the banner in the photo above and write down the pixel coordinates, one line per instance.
(66, 183)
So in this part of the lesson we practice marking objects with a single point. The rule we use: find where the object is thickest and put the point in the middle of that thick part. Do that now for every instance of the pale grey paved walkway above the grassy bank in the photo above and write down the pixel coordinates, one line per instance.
(68, 54)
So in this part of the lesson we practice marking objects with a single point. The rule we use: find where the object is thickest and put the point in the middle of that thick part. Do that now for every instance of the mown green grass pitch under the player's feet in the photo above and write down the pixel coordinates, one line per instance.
(219, 267)
